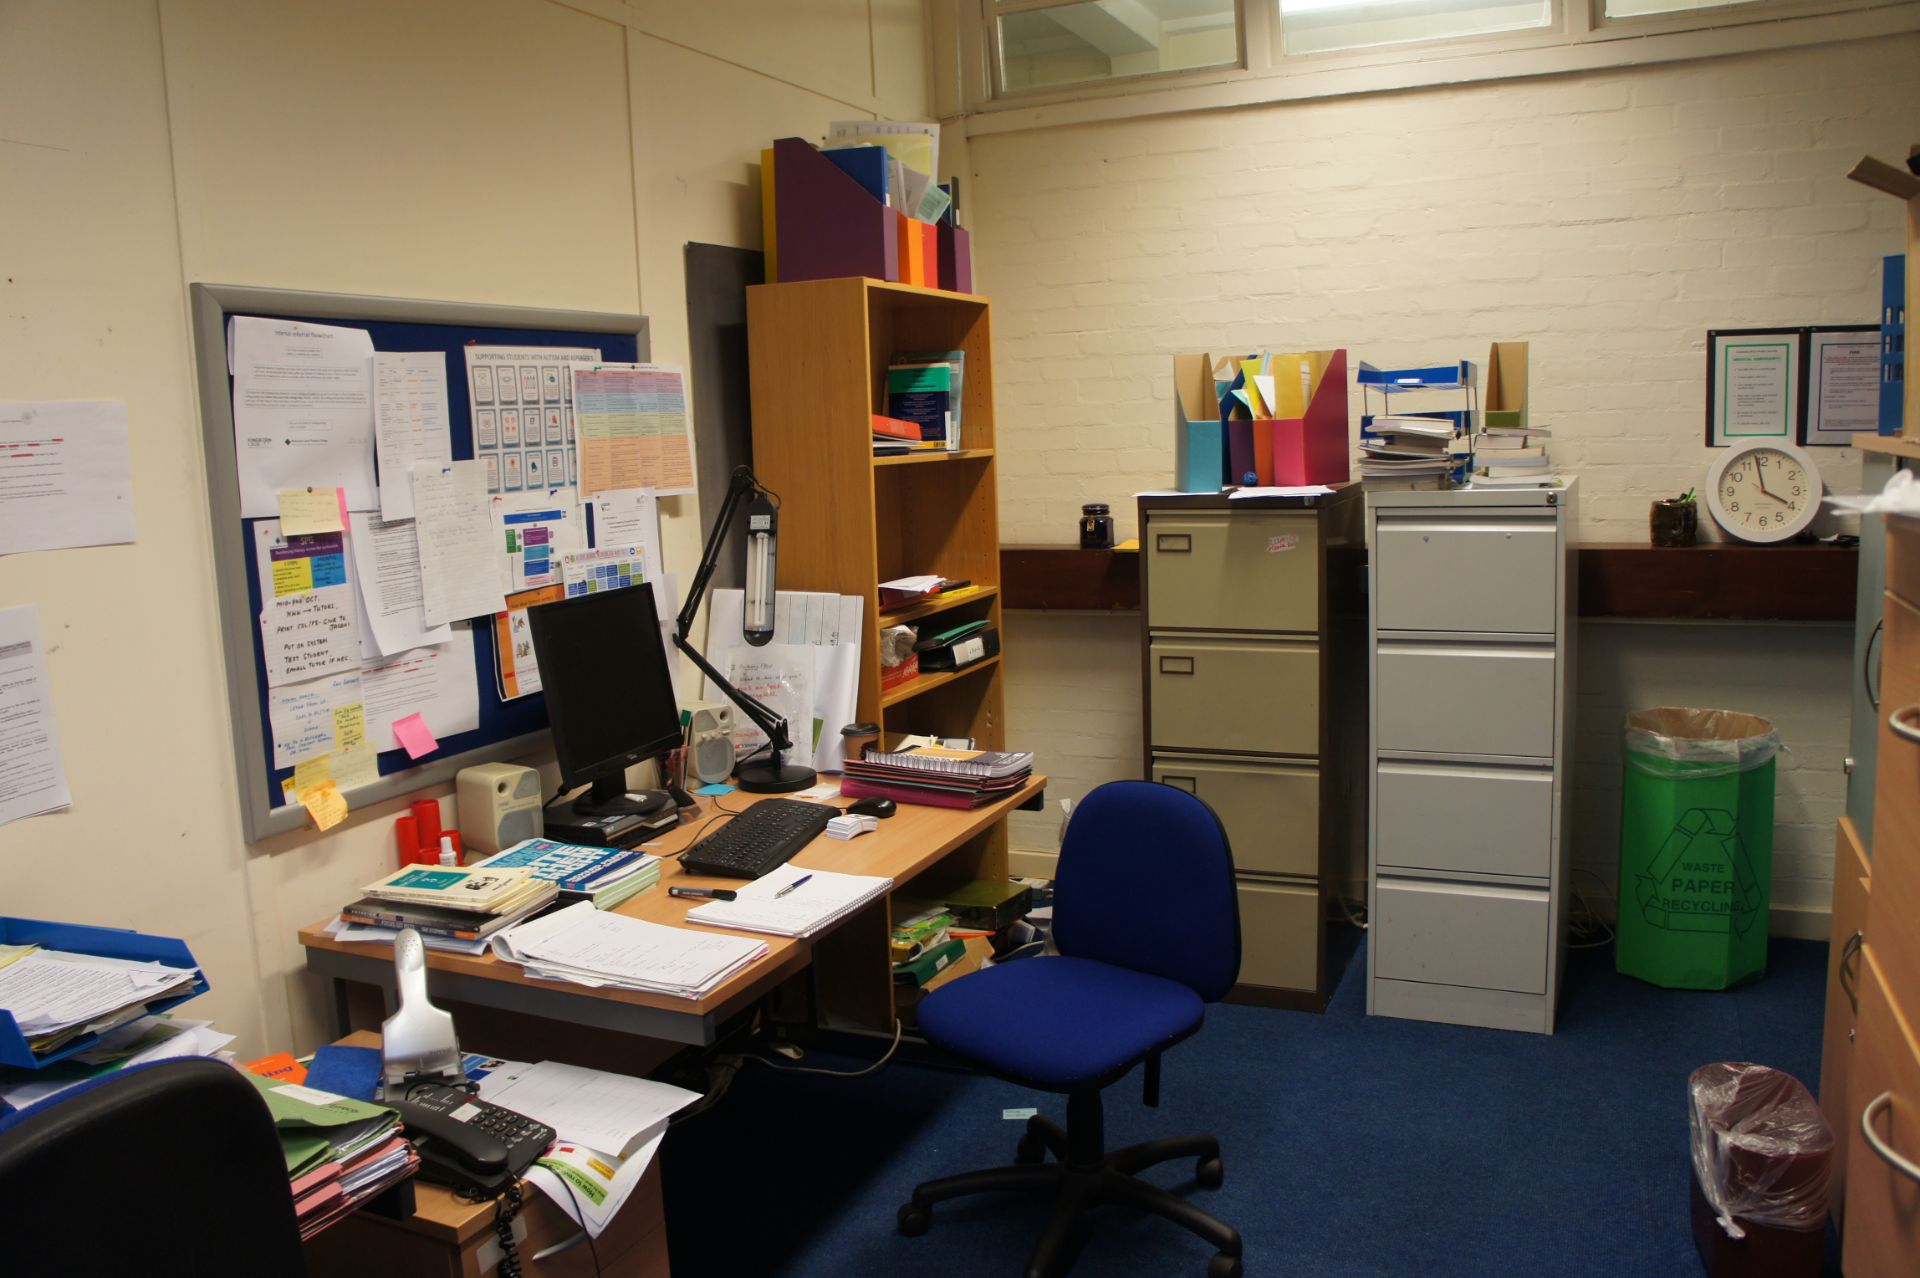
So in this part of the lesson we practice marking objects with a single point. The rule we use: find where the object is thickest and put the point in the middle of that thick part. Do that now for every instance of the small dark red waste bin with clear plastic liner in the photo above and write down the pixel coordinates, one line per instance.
(1764, 1156)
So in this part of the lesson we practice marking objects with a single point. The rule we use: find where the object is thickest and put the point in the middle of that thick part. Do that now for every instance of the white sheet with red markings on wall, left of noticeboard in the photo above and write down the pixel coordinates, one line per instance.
(64, 475)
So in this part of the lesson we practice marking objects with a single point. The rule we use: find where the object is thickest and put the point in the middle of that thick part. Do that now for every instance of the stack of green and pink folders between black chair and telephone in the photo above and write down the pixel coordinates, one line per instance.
(339, 1150)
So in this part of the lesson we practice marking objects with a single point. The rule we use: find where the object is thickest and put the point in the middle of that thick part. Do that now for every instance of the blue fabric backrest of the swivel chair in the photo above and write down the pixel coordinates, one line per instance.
(1145, 882)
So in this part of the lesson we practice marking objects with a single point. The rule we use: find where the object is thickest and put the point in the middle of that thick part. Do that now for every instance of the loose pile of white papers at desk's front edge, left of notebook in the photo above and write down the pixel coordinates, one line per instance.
(590, 947)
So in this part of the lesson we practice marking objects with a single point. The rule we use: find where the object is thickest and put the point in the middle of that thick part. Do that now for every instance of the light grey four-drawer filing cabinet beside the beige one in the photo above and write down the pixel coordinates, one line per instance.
(1472, 602)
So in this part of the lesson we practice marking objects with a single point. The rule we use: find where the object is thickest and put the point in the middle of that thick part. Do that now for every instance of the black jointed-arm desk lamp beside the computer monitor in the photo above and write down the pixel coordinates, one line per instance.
(775, 776)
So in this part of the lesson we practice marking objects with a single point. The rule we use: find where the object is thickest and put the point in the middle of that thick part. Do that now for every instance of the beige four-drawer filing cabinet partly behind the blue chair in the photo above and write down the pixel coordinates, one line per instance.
(1257, 701)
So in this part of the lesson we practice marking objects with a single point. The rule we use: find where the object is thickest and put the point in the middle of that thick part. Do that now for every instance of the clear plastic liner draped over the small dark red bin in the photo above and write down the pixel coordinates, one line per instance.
(1762, 1148)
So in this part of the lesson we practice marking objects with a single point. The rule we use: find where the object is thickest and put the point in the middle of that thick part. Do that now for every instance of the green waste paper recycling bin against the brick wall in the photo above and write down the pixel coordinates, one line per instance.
(1696, 847)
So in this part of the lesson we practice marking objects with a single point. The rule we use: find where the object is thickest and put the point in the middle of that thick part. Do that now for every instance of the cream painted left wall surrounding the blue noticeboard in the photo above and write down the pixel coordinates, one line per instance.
(517, 153)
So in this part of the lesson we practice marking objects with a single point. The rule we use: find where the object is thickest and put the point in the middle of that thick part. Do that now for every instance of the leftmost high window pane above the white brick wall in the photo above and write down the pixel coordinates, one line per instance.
(1047, 45)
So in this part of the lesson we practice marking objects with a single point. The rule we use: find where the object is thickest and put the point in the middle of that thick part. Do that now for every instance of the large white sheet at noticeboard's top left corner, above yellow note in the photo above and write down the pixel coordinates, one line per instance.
(302, 412)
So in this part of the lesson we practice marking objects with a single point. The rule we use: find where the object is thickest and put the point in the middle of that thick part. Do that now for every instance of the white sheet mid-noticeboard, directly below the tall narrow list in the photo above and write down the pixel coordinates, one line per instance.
(462, 567)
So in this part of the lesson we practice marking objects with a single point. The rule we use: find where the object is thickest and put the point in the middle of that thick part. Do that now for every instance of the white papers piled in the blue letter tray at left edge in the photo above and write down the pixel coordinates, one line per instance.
(57, 997)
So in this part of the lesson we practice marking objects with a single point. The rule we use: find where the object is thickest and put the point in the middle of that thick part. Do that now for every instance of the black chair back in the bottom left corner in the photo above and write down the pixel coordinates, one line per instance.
(166, 1170)
